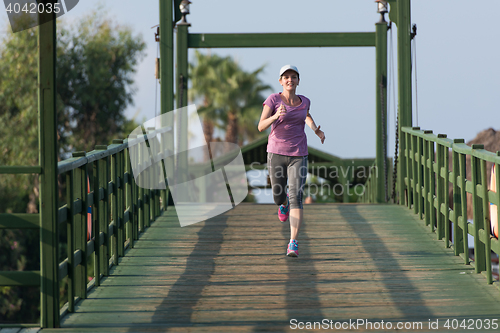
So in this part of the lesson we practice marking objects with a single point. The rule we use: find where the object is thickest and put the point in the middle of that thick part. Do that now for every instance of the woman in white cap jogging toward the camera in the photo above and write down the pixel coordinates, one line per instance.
(287, 113)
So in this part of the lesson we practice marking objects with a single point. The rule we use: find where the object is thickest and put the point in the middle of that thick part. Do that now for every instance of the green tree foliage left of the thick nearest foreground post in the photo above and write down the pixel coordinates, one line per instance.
(19, 249)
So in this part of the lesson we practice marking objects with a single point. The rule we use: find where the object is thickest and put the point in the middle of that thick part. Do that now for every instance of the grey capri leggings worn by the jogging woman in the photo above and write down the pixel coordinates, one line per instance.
(291, 168)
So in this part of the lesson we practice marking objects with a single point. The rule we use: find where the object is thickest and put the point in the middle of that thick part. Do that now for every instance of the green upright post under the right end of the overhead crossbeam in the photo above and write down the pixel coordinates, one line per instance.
(381, 109)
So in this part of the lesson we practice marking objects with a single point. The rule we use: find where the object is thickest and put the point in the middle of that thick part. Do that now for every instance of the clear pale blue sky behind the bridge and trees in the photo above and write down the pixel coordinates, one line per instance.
(456, 61)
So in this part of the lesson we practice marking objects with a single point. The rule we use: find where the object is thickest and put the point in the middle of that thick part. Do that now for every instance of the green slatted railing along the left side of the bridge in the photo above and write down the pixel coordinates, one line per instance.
(121, 210)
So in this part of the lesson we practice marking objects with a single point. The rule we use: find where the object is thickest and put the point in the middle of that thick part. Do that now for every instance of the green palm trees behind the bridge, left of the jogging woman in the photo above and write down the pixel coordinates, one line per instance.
(231, 99)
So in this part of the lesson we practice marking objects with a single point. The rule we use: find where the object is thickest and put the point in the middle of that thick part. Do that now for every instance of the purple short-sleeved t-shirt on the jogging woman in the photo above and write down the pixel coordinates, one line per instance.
(287, 135)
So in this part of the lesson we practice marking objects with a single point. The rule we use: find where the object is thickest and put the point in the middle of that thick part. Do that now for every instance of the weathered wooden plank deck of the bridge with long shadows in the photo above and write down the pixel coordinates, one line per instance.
(230, 274)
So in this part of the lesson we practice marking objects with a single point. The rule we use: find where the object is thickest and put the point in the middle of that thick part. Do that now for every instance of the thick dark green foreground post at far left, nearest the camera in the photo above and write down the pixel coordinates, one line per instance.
(47, 144)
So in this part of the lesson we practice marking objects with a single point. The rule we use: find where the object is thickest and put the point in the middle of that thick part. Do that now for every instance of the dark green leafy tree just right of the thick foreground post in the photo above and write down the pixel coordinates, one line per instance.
(96, 64)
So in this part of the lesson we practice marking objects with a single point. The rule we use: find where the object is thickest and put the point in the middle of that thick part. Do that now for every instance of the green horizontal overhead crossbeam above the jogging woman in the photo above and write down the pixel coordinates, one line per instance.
(344, 39)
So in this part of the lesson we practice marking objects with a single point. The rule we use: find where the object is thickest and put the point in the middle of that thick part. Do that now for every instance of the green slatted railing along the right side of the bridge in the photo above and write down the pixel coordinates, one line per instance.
(436, 188)
